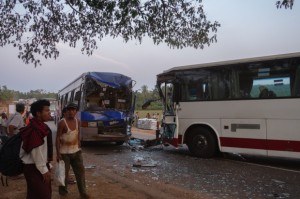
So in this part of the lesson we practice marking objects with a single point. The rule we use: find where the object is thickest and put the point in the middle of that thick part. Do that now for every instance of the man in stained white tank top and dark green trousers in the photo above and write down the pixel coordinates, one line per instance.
(68, 149)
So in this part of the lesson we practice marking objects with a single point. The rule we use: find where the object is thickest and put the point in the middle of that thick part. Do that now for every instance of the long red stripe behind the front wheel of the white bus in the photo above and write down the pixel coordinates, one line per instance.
(276, 145)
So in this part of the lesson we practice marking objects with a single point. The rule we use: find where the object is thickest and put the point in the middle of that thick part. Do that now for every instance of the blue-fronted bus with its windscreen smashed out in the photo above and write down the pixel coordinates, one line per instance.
(105, 105)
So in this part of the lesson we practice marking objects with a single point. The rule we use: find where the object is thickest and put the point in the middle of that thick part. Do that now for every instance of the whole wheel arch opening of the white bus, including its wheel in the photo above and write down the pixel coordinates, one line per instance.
(201, 141)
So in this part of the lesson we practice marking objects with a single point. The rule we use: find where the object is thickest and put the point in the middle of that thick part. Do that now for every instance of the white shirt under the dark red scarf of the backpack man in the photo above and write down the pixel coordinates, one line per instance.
(37, 156)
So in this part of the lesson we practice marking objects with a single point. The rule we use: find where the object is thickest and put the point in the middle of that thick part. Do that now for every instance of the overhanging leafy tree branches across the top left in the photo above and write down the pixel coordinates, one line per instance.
(36, 27)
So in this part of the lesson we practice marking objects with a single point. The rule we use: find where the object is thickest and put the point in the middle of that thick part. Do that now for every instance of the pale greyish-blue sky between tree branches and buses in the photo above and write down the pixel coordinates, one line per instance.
(249, 28)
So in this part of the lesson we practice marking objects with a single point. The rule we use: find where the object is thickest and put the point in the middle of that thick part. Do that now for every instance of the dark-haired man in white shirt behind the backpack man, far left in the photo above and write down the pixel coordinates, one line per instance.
(16, 121)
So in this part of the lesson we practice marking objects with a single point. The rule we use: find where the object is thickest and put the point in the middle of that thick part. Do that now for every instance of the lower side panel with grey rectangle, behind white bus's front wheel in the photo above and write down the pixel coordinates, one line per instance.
(244, 135)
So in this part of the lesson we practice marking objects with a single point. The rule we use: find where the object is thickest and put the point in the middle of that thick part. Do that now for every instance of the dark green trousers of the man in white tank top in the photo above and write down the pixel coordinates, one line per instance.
(75, 160)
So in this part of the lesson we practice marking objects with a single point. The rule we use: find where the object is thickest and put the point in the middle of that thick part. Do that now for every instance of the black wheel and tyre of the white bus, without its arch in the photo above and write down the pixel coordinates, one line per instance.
(202, 143)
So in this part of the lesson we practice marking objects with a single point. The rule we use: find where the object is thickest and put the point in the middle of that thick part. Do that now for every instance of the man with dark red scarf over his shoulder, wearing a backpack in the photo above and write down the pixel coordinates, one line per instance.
(37, 151)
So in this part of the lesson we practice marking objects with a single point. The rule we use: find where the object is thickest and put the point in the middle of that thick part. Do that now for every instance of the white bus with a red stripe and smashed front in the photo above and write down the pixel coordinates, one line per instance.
(247, 106)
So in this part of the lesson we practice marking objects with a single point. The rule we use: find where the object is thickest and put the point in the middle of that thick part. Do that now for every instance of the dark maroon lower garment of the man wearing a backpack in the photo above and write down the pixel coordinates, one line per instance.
(36, 187)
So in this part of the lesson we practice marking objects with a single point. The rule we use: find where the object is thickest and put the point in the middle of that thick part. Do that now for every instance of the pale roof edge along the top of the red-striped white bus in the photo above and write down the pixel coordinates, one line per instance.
(230, 62)
